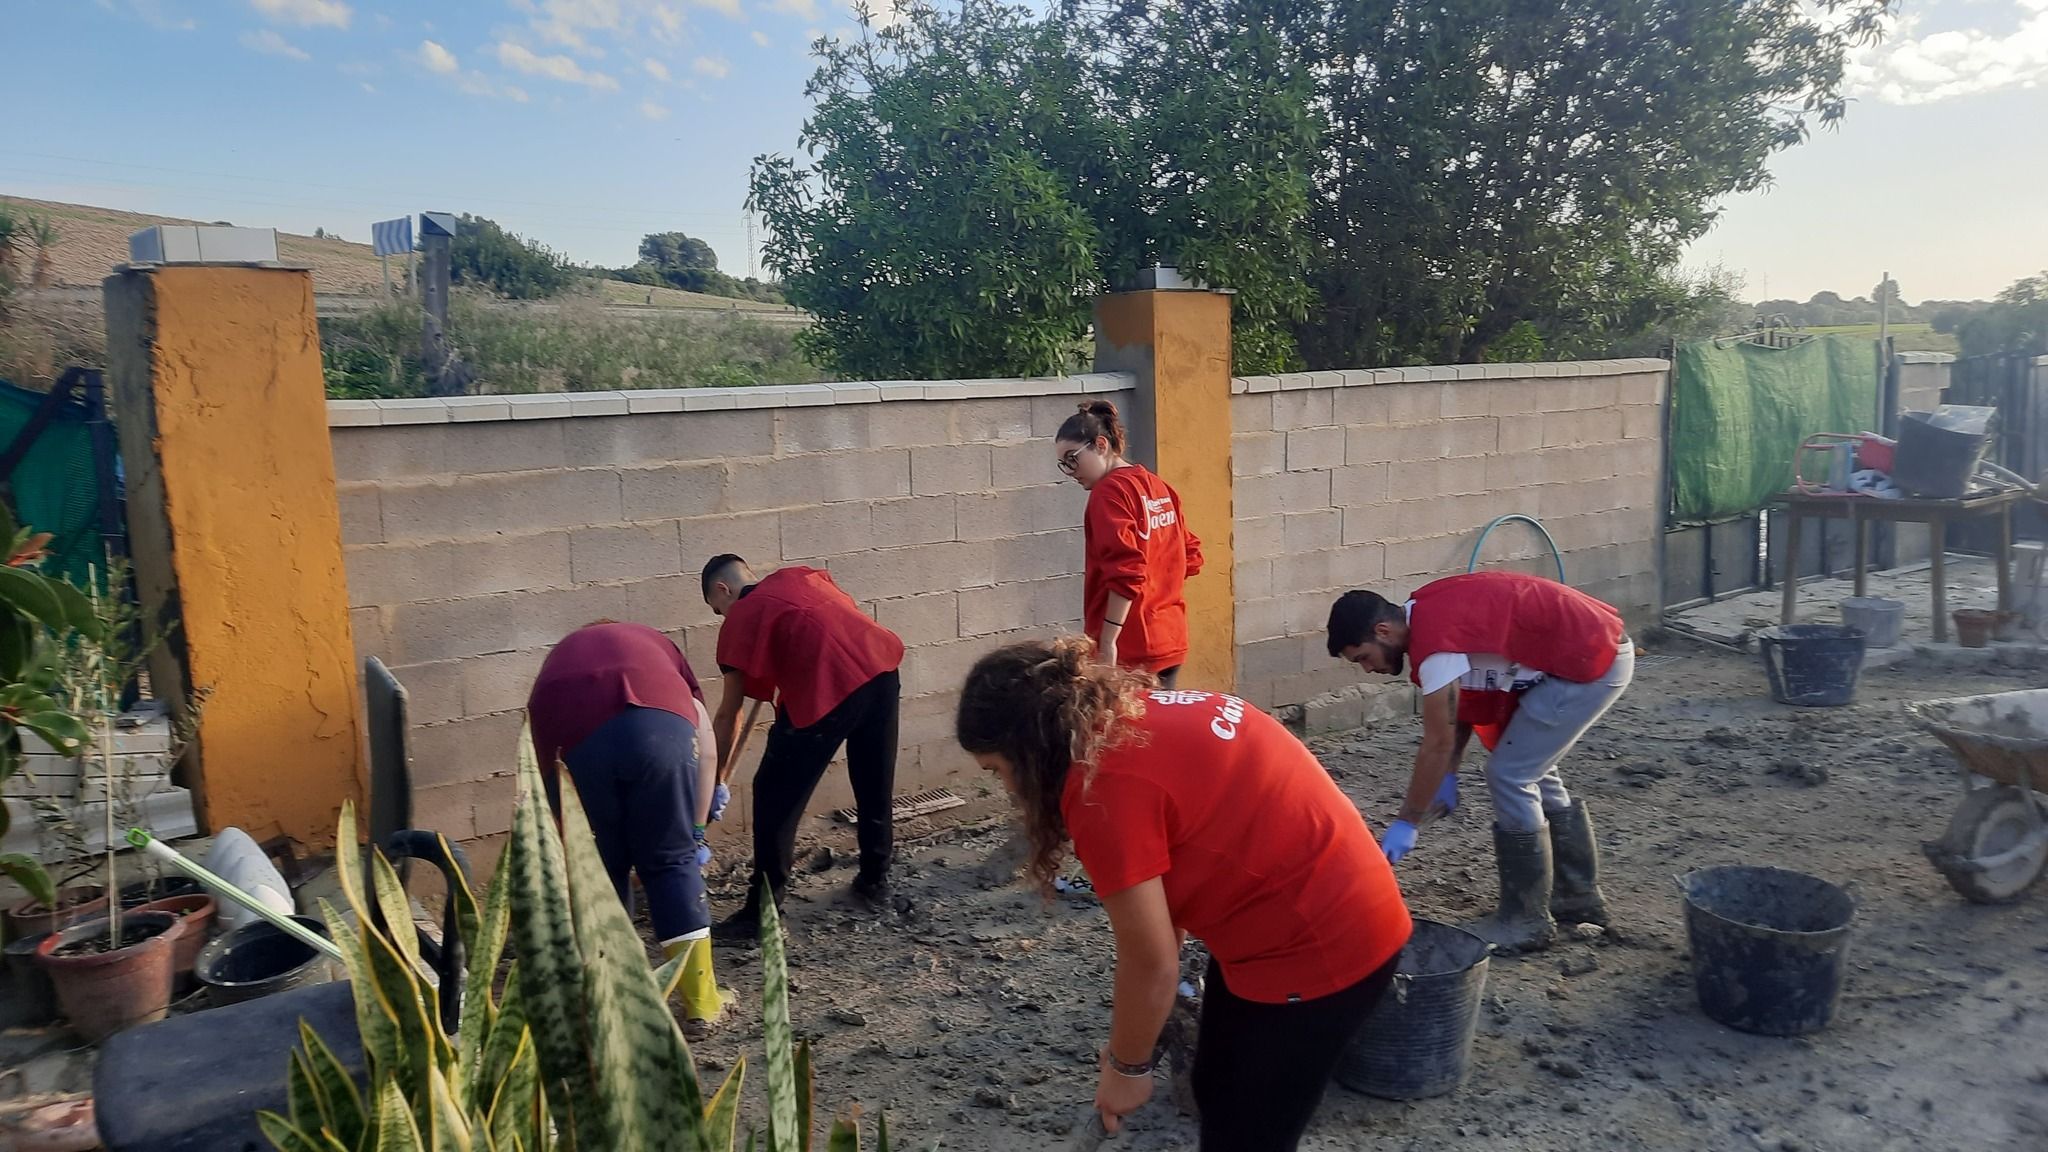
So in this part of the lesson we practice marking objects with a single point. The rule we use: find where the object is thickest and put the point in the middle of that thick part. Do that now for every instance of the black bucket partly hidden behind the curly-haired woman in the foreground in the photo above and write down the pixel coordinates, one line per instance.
(1420, 1038)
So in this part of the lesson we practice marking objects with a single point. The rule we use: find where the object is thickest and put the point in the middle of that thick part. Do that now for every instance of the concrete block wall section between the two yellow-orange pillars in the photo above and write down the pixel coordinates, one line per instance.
(482, 530)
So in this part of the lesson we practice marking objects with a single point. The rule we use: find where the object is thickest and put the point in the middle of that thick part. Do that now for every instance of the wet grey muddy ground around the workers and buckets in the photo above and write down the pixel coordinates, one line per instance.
(974, 1018)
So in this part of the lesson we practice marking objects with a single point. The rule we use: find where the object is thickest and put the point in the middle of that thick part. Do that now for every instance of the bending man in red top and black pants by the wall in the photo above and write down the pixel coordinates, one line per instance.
(798, 641)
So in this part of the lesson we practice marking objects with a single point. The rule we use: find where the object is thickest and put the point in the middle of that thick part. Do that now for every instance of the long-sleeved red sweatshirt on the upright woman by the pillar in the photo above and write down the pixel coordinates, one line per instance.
(1140, 548)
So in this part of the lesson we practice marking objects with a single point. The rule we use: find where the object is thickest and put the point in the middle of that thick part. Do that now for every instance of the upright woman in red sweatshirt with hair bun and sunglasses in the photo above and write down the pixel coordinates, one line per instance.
(1138, 550)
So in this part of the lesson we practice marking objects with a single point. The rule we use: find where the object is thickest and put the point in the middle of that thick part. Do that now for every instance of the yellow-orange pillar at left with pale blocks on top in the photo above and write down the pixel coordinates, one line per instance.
(237, 536)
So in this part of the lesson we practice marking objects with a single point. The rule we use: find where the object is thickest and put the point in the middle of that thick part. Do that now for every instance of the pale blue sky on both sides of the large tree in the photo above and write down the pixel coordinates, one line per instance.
(587, 124)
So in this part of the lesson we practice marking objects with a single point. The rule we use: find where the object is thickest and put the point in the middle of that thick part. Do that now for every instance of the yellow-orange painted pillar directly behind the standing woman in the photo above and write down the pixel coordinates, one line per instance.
(1179, 345)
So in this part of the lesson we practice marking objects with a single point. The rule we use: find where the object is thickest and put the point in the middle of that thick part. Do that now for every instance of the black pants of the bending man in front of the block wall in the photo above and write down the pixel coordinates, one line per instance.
(798, 759)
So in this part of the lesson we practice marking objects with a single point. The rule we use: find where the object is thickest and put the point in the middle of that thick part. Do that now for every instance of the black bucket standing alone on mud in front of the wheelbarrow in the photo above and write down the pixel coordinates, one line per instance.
(1768, 946)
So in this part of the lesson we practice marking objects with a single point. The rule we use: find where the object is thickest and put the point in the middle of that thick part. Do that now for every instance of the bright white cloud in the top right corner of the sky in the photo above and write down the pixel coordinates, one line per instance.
(1908, 69)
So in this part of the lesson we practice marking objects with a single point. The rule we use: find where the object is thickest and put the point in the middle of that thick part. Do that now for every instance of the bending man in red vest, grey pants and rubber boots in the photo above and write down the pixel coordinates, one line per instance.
(1543, 663)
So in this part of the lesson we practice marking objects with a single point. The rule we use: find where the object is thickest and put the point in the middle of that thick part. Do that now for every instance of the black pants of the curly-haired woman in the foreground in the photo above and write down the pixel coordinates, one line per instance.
(1261, 1069)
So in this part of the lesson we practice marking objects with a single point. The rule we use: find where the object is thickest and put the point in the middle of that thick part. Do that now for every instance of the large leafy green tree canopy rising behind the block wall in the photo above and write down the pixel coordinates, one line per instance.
(1381, 181)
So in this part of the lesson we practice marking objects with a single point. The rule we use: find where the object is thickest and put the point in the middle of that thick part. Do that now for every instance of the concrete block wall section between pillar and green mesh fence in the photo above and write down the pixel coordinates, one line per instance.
(1385, 479)
